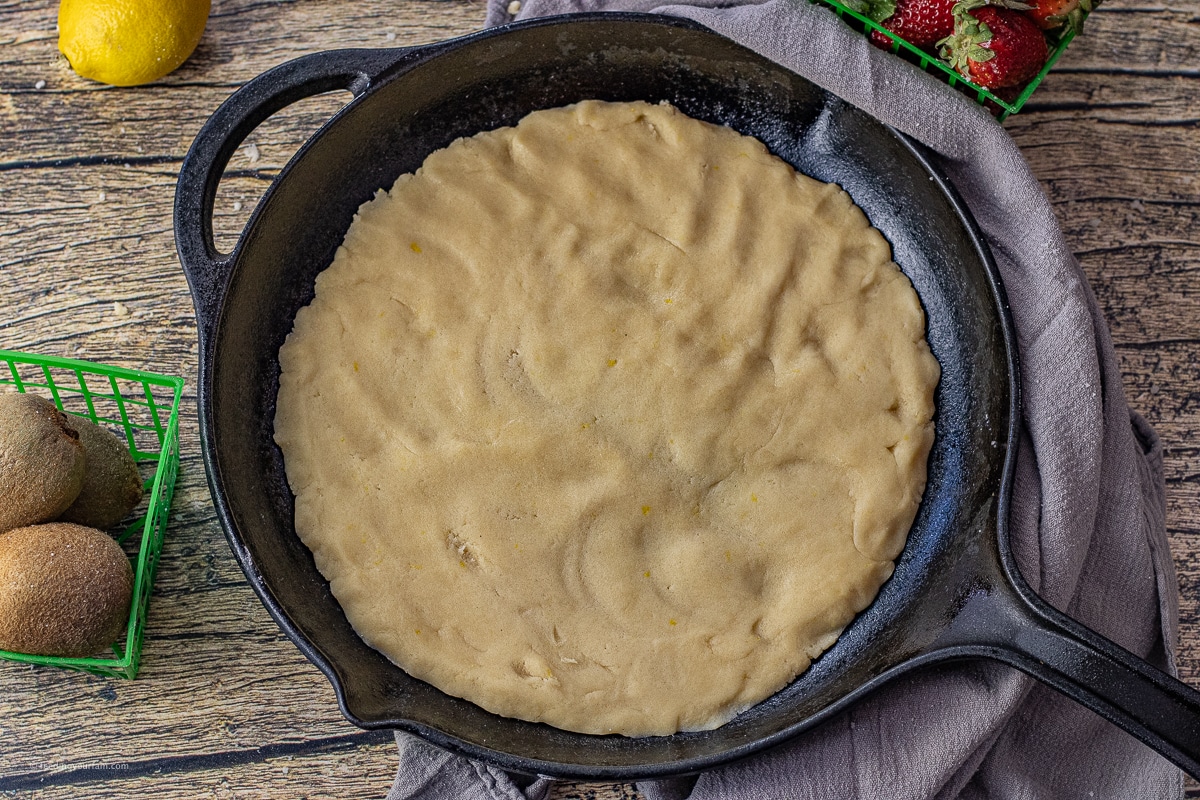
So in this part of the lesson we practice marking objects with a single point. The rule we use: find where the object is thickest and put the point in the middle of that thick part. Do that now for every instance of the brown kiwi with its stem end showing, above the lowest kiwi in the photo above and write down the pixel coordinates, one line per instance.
(43, 461)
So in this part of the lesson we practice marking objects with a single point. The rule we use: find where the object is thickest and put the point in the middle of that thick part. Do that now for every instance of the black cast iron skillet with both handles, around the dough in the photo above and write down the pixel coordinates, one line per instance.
(956, 593)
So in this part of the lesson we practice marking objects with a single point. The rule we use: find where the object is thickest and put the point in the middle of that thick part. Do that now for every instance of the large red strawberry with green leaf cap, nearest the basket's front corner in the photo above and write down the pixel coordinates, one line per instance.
(994, 47)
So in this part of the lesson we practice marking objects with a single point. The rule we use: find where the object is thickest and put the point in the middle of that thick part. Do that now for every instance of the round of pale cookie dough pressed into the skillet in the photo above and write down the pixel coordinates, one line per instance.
(610, 420)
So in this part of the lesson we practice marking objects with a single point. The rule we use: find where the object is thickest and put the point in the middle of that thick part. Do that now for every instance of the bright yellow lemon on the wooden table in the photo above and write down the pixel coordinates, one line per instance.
(130, 43)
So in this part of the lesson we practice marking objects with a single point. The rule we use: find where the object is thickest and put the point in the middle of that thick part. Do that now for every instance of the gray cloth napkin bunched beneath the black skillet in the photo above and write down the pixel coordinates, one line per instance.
(1088, 512)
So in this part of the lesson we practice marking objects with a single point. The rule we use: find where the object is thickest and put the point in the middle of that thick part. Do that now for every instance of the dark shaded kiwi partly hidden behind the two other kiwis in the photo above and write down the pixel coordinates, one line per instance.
(112, 486)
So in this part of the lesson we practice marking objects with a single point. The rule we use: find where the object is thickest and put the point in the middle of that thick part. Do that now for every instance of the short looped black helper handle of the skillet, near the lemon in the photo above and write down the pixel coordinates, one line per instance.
(206, 268)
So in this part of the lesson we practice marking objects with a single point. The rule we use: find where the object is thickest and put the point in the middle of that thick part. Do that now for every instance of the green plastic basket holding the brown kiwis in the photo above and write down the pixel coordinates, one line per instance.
(146, 407)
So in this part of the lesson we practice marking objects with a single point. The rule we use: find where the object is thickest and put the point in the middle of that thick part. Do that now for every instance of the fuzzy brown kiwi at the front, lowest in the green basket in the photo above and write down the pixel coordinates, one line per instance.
(65, 591)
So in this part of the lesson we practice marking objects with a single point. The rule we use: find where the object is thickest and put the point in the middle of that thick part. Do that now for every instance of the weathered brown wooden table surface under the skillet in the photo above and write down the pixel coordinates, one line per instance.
(225, 705)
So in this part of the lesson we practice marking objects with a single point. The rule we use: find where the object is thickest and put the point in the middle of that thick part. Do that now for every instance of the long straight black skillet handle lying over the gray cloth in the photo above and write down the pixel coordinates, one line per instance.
(1016, 627)
